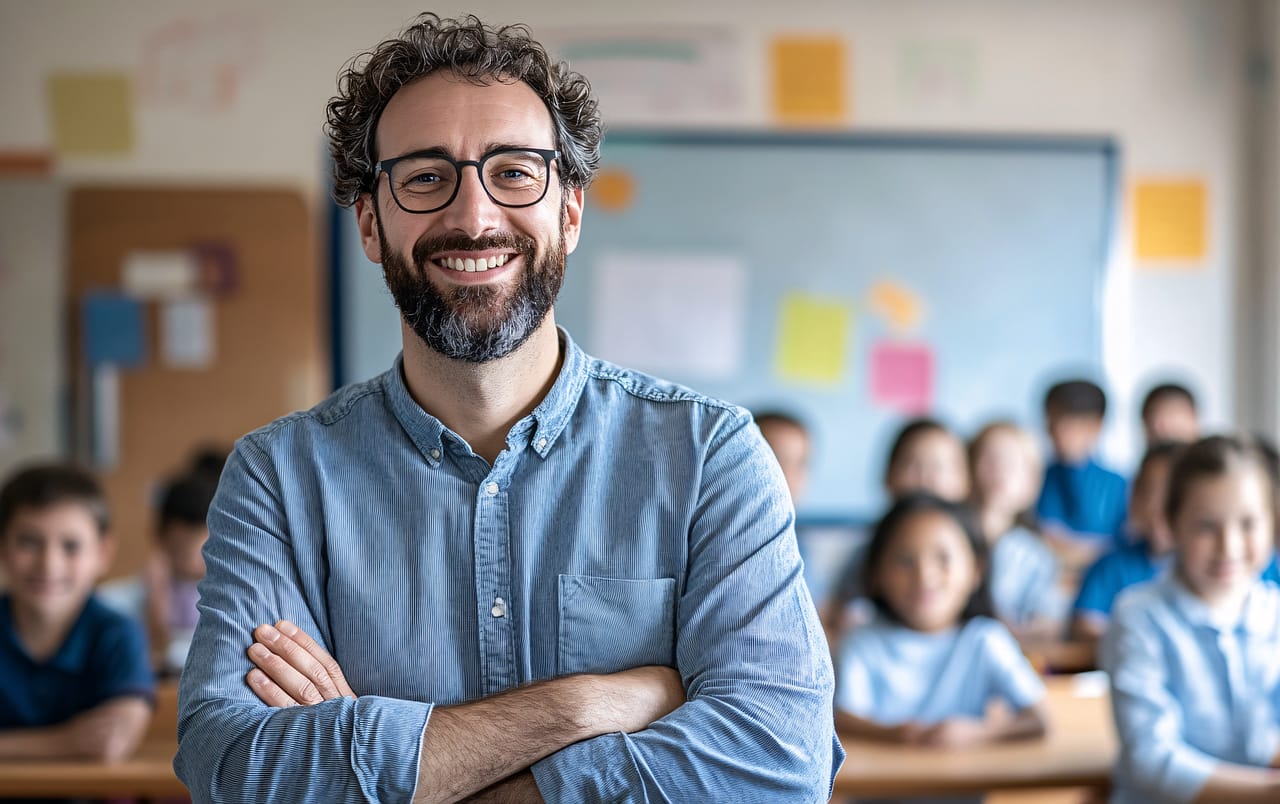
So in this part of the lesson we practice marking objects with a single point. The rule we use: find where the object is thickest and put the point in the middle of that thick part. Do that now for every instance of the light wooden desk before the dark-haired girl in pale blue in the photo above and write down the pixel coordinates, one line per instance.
(1078, 752)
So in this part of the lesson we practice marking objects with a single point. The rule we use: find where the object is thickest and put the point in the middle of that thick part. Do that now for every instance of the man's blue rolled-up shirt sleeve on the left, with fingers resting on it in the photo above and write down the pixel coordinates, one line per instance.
(231, 746)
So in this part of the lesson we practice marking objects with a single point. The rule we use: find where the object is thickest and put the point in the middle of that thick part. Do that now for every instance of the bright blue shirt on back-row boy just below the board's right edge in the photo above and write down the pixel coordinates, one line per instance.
(1086, 500)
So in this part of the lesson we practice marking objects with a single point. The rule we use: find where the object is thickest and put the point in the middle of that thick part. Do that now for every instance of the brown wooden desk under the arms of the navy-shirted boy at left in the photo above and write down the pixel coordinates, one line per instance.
(149, 774)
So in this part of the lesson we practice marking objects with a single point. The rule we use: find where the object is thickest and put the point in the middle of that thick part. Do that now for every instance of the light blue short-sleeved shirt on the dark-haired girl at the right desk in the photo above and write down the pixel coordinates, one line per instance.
(893, 675)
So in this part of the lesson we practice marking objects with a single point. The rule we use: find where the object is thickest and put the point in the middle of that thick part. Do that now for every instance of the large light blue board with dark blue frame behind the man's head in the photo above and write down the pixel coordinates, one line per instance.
(851, 280)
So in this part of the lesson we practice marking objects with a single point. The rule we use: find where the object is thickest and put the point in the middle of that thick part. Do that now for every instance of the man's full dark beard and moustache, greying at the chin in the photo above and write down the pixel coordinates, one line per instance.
(474, 323)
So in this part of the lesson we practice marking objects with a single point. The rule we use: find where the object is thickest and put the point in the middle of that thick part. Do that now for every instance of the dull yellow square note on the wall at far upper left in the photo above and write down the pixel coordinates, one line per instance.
(93, 113)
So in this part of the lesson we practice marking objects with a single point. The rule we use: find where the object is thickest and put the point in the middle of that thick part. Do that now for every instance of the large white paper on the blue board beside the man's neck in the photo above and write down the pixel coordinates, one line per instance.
(671, 314)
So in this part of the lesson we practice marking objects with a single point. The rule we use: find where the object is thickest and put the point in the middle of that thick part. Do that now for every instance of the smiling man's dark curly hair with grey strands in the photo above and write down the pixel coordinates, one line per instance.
(476, 53)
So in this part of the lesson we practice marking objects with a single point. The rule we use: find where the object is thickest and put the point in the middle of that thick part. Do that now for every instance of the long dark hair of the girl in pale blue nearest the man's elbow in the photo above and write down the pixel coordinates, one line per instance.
(888, 529)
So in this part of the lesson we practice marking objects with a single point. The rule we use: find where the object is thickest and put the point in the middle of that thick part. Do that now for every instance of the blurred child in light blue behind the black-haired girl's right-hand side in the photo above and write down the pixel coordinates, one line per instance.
(1026, 587)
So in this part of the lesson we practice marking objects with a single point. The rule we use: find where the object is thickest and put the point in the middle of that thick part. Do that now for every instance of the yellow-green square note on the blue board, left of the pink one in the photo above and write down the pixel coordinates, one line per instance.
(813, 340)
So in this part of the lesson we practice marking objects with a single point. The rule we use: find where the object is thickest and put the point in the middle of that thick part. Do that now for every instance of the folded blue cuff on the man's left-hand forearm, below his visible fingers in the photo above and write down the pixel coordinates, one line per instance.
(387, 746)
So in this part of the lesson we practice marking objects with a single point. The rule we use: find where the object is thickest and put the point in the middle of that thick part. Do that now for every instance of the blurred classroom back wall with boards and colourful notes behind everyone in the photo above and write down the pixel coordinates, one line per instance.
(853, 211)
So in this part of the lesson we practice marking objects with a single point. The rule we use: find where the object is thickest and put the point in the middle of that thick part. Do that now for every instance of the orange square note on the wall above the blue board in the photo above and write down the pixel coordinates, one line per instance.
(810, 80)
